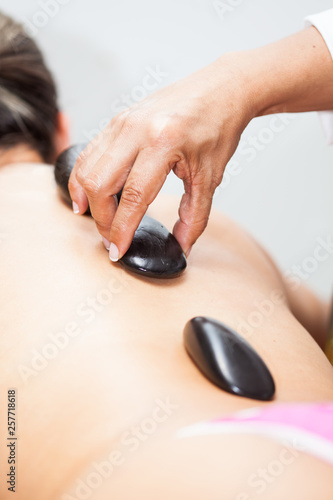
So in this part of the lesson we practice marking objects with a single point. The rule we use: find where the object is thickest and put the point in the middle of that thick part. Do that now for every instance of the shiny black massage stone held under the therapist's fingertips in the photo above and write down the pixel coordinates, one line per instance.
(154, 251)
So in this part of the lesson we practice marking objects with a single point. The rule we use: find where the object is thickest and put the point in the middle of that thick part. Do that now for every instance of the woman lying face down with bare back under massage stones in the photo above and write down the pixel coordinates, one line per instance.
(105, 391)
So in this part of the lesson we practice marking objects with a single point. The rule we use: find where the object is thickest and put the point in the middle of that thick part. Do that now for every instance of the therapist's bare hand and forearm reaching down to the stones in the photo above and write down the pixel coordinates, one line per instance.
(192, 128)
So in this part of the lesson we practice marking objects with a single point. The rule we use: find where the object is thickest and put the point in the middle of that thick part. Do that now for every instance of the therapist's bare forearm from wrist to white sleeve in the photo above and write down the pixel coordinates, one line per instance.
(294, 74)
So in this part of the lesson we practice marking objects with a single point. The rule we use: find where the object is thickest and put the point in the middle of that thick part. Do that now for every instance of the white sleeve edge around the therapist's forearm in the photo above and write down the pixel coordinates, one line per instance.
(324, 24)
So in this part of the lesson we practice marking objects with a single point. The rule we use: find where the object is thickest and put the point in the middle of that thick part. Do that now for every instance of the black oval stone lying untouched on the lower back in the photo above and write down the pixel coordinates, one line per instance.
(227, 360)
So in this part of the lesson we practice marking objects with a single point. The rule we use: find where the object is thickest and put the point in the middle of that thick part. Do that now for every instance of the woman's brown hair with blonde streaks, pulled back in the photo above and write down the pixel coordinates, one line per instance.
(28, 97)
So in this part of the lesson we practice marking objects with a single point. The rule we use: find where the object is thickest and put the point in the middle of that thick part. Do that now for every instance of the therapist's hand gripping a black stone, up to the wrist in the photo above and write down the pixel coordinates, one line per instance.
(191, 127)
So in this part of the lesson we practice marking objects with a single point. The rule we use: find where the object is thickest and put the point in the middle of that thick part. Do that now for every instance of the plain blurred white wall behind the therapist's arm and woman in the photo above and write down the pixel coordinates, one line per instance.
(99, 51)
